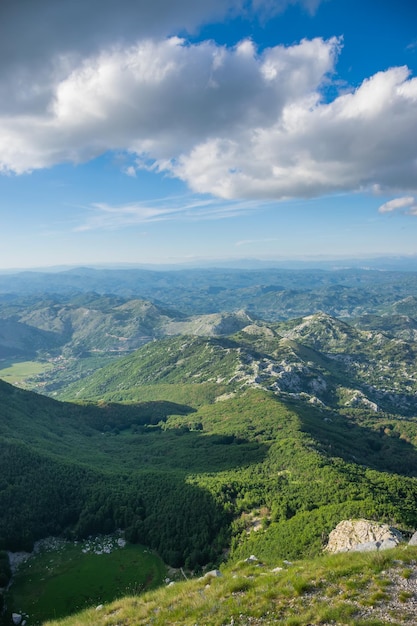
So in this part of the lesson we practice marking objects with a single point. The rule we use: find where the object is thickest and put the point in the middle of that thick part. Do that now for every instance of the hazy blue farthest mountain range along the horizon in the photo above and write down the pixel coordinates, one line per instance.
(271, 294)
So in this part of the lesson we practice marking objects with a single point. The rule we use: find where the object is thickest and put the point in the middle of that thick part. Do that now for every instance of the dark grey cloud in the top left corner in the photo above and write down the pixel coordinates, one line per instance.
(40, 41)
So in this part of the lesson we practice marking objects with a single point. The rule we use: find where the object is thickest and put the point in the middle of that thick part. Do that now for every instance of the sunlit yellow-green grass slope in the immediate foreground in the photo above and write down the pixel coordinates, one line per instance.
(318, 591)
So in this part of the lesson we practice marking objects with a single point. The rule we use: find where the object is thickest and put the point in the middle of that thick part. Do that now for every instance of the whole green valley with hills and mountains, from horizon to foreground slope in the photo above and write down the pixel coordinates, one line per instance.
(188, 408)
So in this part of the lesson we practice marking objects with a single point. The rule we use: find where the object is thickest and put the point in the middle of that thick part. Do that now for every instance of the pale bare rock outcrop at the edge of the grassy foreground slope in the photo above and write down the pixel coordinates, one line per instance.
(362, 535)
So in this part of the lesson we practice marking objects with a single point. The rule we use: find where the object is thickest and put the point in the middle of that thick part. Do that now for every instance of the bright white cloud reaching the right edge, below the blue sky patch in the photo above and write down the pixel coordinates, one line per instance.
(359, 140)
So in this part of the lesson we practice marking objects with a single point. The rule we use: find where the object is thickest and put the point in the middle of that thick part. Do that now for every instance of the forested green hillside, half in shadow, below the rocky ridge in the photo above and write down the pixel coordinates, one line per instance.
(142, 466)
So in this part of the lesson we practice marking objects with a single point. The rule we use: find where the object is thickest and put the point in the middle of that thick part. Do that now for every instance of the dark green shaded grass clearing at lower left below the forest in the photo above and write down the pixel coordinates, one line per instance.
(56, 583)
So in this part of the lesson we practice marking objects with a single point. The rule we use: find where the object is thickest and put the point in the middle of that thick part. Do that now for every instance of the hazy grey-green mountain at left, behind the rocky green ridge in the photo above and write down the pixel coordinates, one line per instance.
(80, 324)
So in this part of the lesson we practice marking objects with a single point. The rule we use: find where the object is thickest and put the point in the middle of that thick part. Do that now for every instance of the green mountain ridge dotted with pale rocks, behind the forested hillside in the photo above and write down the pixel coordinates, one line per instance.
(323, 359)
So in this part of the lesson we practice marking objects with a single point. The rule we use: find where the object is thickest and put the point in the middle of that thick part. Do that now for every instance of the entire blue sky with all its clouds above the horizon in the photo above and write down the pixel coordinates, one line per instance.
(137, 132)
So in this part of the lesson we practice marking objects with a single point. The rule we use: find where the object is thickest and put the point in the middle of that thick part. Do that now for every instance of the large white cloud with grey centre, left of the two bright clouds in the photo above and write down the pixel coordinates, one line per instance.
(163, 100)
